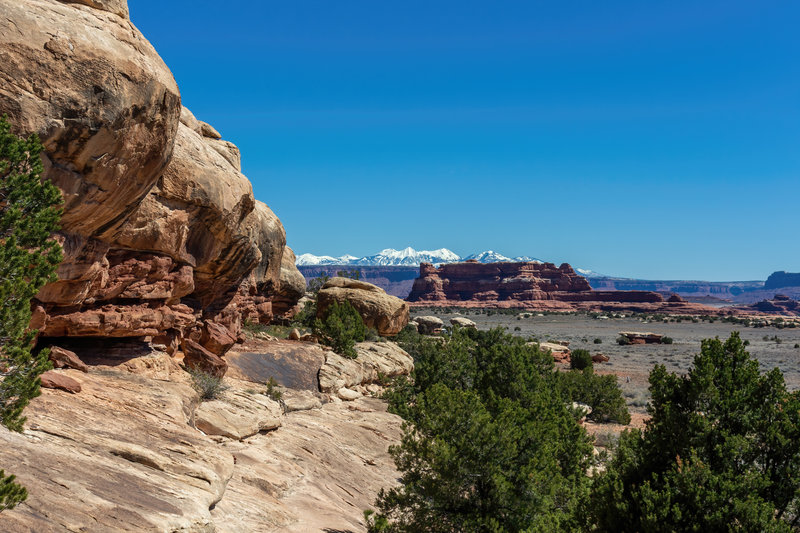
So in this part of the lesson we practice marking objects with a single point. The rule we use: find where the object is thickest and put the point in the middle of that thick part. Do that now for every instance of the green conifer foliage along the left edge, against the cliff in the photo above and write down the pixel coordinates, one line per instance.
(29, 213)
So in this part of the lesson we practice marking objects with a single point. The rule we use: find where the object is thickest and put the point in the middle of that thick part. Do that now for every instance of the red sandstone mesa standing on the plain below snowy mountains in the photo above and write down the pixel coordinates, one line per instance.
(528, 285)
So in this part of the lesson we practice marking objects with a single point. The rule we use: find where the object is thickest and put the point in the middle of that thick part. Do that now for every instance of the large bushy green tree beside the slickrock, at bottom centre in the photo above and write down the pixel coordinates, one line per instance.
(489, 444)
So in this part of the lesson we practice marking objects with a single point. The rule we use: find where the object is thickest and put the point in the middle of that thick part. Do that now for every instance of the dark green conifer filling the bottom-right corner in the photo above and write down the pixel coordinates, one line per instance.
(720, 453)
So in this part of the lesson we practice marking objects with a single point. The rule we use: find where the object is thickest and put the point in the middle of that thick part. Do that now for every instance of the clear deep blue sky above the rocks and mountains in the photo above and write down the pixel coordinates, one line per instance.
(641, 139)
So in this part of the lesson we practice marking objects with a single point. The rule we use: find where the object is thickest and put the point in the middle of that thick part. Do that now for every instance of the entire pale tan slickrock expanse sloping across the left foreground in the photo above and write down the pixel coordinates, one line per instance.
(126, 454)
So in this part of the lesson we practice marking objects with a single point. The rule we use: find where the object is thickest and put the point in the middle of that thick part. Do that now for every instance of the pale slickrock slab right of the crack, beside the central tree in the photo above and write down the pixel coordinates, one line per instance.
(318, 472)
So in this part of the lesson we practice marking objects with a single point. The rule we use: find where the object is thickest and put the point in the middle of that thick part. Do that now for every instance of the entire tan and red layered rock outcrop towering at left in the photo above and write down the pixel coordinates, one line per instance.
(161, 233)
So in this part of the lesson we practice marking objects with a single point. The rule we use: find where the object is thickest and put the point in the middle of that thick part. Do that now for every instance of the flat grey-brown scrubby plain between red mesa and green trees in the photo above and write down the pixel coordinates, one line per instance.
(633, 363)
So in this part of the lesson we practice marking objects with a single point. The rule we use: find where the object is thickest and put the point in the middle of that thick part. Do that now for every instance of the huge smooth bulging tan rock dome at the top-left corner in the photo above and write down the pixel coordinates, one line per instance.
(103, 102)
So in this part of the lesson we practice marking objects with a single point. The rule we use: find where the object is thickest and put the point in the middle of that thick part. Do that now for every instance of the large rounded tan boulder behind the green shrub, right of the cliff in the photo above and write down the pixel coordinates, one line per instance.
(387, 314)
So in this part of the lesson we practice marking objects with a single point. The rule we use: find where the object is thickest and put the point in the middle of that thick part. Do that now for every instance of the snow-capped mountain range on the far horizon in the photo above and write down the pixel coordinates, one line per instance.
(407, 257)
